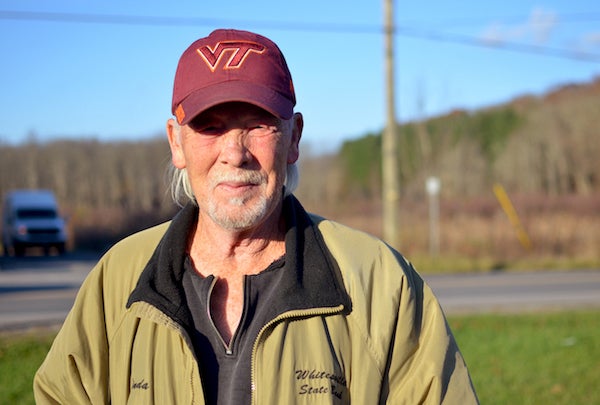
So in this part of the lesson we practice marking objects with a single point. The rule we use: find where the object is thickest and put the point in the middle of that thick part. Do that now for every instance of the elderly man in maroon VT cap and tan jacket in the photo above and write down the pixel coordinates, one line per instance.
(244, 297)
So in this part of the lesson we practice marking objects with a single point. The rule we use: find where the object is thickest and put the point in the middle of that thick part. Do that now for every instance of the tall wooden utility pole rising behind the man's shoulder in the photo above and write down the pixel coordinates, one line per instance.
(389, 142)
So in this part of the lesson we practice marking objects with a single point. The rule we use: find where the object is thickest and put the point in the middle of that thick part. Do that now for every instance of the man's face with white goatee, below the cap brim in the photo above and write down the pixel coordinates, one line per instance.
(236, 156)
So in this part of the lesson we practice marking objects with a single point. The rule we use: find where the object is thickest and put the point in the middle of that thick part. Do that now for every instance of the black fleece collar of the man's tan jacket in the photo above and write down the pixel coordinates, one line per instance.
(312, 279)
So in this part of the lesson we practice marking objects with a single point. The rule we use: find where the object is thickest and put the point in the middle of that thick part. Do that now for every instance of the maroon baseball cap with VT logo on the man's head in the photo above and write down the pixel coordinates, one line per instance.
(232, 65)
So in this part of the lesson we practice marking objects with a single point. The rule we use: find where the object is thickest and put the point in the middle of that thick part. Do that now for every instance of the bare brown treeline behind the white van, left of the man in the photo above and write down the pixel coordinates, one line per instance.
(105, 189)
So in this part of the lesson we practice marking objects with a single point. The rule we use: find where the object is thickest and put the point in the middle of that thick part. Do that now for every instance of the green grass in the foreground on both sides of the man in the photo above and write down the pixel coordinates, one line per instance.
(514, 359)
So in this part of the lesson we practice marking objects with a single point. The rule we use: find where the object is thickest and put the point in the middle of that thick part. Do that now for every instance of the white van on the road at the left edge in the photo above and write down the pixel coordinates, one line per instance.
(31, 218)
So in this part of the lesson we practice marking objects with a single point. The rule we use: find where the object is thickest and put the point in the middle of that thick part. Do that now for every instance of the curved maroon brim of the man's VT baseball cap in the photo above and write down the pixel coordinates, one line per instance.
(235, 91)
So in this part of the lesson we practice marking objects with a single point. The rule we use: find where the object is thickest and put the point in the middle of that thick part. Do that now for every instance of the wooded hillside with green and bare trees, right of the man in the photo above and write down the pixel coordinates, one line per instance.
(547, 145)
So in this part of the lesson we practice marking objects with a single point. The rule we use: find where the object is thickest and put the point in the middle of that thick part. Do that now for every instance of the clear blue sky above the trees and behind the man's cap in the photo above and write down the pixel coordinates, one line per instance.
(104, 69)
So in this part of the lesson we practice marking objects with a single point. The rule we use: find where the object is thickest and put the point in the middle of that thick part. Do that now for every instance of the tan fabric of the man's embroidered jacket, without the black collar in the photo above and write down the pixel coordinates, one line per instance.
(389, 345)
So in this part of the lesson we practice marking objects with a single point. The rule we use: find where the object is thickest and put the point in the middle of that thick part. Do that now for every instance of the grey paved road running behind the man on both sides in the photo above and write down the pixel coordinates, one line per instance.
(39, 291)
